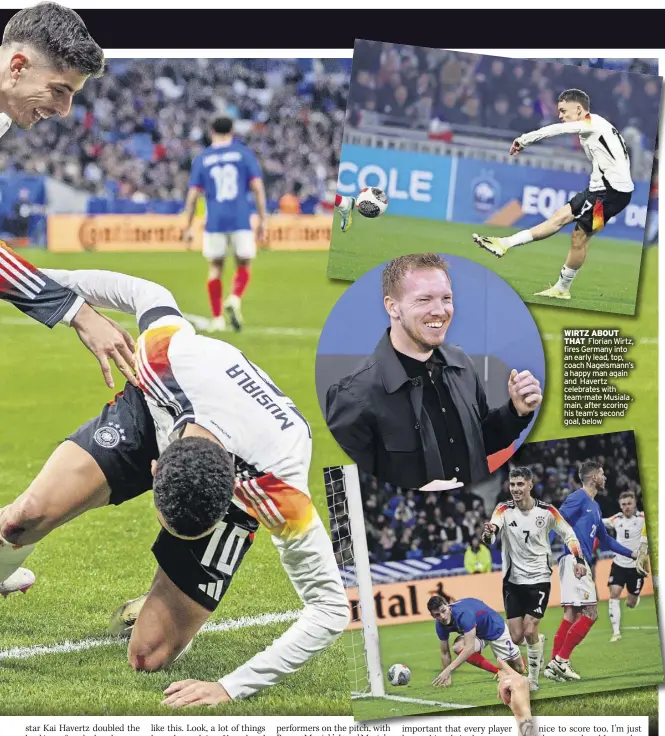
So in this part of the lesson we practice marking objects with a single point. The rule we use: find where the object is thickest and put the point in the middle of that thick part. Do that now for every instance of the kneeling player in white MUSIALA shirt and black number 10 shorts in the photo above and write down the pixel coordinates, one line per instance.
(228, 450)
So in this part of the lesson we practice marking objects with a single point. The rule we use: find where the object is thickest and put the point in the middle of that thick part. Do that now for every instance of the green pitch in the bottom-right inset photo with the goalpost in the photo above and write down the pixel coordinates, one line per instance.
(632, 662)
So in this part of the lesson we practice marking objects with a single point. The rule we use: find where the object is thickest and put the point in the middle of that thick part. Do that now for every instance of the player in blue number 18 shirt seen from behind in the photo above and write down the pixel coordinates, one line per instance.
(226, 174)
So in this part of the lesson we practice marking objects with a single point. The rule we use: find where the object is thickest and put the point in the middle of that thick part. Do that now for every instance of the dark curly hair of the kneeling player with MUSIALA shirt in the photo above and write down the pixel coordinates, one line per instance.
(193, 485)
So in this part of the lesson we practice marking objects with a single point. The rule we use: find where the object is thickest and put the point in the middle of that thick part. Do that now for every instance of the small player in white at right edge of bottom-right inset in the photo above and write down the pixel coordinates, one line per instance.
(628, 525)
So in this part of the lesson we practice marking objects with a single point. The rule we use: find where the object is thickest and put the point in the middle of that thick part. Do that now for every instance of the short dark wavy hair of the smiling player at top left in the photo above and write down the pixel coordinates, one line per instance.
(59, 34)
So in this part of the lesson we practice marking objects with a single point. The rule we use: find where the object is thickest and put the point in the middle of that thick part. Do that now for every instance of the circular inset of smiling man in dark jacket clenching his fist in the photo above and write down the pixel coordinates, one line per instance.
(430, 371)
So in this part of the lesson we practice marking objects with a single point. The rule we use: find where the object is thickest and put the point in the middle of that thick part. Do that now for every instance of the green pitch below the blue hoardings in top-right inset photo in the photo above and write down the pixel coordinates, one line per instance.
(607, 282)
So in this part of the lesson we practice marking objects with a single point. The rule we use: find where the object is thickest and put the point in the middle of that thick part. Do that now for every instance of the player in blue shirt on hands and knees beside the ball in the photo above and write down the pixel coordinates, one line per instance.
(479, 625)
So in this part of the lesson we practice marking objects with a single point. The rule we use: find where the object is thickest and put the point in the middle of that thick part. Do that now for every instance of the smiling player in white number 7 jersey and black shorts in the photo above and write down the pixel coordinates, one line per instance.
(525, 524)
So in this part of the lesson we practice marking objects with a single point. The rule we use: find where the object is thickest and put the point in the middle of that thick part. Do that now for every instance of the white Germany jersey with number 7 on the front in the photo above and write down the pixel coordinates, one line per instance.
(525, 545)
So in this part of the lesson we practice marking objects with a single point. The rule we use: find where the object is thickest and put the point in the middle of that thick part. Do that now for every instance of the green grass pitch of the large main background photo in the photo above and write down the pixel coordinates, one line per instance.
(86, 569)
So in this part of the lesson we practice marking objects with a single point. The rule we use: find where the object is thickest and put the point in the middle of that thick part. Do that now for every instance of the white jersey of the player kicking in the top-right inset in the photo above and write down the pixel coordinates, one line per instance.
(603, 146)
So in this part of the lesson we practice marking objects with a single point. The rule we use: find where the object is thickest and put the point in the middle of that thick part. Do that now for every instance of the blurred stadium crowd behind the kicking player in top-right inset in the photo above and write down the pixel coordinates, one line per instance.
(411, 86)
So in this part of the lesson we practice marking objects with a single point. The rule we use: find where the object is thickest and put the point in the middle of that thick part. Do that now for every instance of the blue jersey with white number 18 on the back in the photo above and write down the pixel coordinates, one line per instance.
(223, 173)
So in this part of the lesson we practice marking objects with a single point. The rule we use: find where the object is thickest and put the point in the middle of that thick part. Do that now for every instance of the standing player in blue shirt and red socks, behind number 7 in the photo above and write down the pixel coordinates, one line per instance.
(578, 595)
